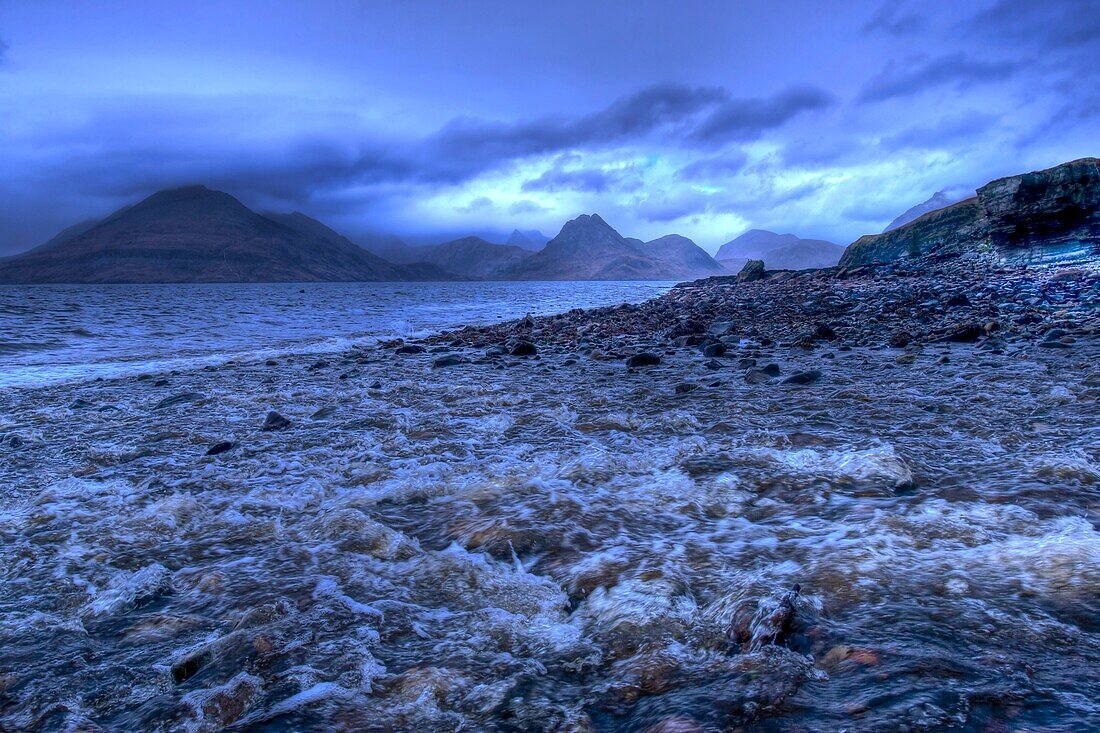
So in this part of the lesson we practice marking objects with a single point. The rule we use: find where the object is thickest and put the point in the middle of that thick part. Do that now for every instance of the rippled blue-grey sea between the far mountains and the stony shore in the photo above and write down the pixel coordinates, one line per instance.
(67, 333)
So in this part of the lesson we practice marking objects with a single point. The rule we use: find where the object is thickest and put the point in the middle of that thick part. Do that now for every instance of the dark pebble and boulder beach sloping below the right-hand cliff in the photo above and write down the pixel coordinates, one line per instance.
(907, 305)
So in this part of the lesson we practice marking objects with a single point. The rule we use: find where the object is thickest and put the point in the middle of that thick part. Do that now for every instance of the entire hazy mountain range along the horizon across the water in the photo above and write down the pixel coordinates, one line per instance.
(199, 235)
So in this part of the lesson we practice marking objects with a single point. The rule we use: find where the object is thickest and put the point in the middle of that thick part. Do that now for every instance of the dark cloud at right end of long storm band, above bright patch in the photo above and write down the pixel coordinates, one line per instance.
(746, 119)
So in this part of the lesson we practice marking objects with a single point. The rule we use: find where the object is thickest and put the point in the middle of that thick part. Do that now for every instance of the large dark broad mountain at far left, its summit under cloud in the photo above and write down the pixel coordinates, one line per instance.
(199, 235)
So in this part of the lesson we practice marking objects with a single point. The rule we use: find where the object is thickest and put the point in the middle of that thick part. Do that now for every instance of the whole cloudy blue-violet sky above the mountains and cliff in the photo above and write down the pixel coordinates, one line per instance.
(434, 119)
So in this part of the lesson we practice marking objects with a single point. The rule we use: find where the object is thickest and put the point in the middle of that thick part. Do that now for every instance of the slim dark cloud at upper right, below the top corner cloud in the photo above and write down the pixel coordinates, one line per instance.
(958, 70)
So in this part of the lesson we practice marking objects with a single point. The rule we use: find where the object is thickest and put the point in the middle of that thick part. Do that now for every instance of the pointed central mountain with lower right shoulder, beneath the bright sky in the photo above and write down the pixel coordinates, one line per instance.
(588, 248)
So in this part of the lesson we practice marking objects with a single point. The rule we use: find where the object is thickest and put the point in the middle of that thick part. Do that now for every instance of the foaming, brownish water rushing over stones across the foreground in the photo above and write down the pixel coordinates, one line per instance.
(557, 544)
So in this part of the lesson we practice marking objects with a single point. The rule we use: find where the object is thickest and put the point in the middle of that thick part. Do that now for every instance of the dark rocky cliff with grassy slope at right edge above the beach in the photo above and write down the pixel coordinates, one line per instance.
(1044, 216)
